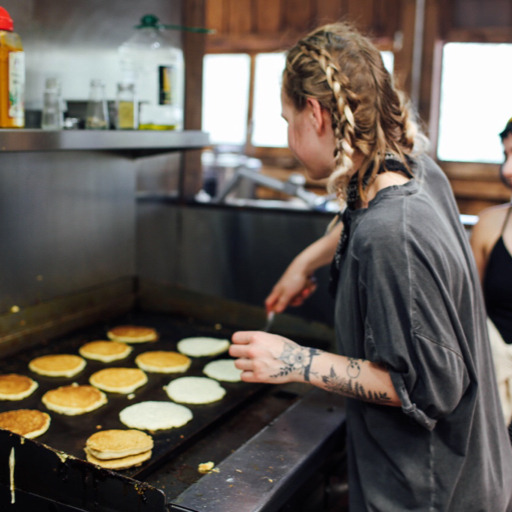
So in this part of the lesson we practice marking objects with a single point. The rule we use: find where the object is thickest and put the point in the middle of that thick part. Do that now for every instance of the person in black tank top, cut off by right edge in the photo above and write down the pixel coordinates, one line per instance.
(491, 241)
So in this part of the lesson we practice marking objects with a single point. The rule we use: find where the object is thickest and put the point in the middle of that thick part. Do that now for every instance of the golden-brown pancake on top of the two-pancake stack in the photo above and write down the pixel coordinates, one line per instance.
(116, 444)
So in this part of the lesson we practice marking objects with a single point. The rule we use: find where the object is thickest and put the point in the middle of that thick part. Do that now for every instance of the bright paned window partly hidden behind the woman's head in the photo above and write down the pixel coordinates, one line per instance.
(226, 86)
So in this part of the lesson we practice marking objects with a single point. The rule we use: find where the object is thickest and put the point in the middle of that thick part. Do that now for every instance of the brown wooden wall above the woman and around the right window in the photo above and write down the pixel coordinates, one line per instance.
(268, 25)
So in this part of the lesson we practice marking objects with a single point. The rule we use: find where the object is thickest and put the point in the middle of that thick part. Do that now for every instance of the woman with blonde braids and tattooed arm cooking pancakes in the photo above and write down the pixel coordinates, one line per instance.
(423, 414)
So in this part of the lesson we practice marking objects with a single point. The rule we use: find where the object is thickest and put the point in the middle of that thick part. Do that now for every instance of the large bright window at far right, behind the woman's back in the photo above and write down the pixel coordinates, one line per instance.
(475, 101)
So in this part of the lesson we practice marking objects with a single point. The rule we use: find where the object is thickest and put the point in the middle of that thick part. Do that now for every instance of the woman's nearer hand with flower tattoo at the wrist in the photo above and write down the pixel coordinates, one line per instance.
(269, 358)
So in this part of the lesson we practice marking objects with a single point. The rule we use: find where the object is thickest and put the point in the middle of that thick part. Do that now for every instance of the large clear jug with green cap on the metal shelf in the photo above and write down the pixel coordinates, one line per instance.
(156, 67)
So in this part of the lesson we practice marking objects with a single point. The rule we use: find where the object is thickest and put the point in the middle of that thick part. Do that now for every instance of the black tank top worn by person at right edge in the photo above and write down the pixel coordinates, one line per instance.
(498, 286)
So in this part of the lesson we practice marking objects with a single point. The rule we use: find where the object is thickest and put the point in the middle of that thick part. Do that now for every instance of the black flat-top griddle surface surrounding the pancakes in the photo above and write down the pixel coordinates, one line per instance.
(69, 433)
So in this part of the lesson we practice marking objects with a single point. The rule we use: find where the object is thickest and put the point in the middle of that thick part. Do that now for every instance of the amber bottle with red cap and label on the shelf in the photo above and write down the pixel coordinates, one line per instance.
(12, 75)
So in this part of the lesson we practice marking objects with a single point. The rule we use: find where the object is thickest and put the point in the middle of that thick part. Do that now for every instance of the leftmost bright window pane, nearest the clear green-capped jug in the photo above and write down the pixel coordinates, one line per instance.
(226, 97)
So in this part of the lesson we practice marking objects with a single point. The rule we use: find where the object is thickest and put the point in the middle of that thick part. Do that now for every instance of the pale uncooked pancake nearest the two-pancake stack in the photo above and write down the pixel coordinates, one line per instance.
(154, 415)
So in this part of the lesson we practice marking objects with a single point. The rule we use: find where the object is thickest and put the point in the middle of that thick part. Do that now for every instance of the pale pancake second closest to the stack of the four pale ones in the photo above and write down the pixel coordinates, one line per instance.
(194, 390)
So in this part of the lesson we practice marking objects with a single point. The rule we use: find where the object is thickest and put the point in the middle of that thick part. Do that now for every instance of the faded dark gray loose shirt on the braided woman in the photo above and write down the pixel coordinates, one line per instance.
(409, 298)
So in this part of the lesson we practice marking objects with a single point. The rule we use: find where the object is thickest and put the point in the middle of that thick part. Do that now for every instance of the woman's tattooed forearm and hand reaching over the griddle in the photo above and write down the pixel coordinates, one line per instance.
(273, 359)
